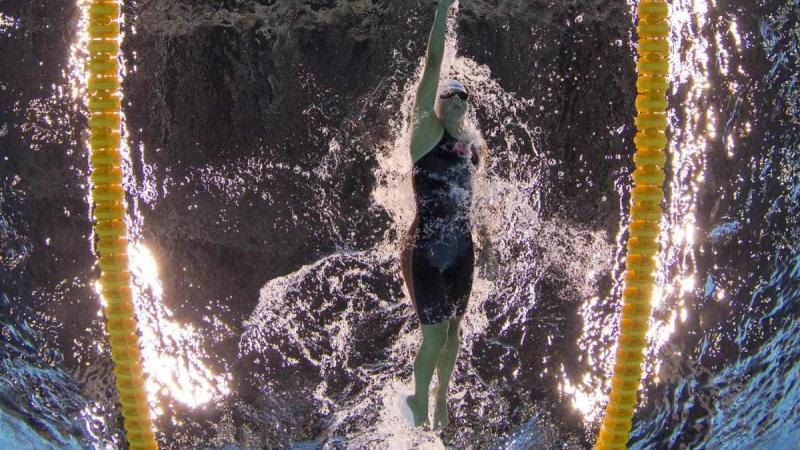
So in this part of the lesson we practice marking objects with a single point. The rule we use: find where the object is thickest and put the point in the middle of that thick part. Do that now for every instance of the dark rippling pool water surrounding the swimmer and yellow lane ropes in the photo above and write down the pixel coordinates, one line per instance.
(268, 188)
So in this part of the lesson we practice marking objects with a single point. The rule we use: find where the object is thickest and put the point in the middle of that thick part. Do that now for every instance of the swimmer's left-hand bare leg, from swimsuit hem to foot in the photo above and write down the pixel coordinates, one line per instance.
(433, 339)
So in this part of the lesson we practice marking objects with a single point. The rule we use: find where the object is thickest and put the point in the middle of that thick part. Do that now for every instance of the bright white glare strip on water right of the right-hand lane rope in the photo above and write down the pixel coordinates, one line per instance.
(689, 58)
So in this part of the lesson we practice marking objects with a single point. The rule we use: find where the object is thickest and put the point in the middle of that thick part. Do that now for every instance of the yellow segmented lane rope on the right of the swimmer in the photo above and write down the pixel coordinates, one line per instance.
(646, 197)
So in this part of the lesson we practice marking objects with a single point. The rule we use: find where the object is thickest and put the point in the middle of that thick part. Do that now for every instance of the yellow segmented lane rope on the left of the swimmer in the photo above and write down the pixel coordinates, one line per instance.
(109, 213)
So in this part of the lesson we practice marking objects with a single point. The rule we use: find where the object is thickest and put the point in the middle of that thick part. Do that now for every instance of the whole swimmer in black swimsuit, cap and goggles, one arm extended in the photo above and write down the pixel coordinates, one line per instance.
(437, 258)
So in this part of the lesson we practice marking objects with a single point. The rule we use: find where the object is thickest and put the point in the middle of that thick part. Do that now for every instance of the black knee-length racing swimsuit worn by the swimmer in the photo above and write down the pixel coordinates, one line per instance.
(443, 255)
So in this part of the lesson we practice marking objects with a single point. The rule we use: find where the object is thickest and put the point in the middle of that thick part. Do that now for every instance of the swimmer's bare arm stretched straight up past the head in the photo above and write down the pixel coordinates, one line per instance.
(425, 125)
